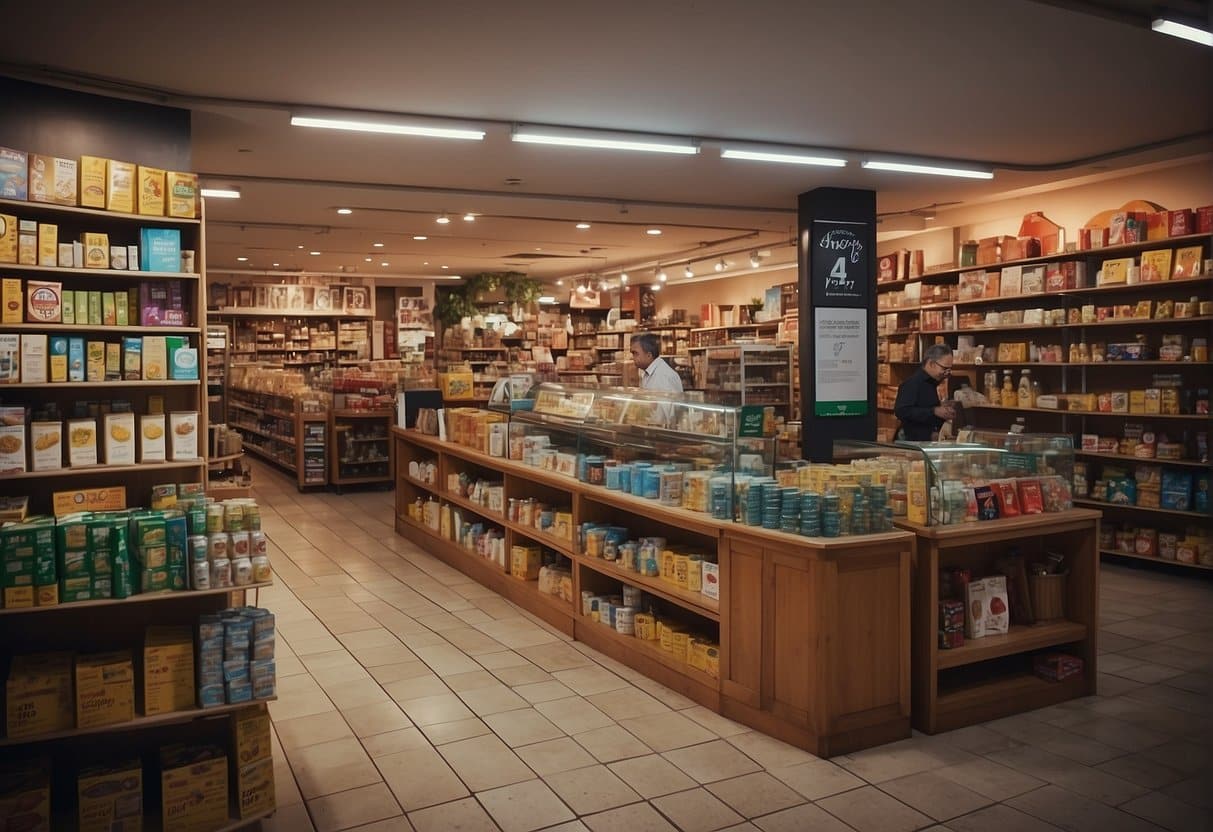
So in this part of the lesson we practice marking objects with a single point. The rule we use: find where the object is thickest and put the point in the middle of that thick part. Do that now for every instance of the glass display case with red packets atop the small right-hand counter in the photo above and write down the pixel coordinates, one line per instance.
(983, 476)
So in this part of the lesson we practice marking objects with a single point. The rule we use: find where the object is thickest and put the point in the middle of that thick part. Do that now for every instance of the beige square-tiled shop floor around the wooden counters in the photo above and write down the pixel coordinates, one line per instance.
(411, 698)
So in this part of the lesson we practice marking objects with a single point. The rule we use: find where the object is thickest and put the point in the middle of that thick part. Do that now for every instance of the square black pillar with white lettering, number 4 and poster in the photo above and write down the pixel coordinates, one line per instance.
(838, 283)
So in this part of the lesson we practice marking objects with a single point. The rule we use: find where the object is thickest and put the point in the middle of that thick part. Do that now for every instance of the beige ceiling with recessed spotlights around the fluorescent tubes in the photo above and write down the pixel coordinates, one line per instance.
(1041, 92)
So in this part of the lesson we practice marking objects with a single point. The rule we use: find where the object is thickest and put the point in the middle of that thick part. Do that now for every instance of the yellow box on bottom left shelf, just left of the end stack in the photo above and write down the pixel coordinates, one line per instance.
(195, 789)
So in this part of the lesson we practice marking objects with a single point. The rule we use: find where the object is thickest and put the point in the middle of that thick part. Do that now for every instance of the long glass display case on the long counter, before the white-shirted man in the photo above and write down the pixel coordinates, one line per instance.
(671, 448)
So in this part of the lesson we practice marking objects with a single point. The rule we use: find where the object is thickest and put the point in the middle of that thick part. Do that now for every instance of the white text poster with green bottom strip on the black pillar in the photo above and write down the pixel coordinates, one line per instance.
(841, 362)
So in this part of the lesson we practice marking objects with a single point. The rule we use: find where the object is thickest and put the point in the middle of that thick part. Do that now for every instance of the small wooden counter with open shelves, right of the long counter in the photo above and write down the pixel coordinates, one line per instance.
(993, 677)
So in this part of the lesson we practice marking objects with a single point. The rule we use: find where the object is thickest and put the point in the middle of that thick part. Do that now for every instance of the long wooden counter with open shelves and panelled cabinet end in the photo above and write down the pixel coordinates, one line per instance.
(813, 632)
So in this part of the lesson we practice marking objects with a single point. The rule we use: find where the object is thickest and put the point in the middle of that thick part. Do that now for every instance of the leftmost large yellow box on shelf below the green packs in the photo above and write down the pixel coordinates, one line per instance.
(39, 696)
